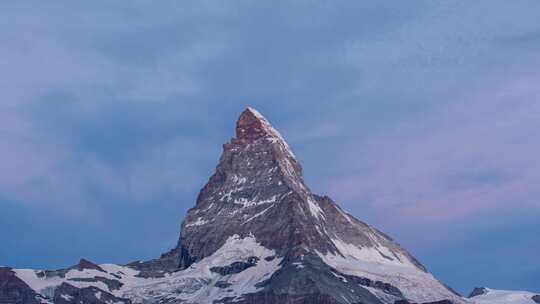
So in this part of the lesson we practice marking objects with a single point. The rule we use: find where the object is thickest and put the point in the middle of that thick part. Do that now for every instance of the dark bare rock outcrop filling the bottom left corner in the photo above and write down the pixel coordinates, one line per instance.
(15, 291)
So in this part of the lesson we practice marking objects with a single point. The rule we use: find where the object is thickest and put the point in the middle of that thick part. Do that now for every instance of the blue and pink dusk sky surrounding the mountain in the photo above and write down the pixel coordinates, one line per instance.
(418, 117)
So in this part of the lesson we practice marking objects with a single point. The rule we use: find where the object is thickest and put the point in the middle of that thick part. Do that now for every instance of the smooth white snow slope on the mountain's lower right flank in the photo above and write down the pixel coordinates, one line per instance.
(415, 284)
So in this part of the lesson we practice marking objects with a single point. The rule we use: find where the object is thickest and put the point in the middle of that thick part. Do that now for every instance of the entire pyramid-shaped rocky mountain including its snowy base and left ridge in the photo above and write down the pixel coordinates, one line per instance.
(257, 234)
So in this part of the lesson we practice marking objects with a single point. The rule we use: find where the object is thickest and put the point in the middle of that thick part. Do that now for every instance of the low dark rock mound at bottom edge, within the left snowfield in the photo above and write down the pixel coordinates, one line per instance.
(68, 294)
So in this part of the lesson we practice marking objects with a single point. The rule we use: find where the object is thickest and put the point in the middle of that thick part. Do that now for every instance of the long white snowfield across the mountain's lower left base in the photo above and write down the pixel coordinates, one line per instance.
(197, 284)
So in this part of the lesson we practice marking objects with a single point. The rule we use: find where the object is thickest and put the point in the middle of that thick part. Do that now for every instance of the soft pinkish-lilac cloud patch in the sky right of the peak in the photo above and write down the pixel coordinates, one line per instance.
(410, 174)
